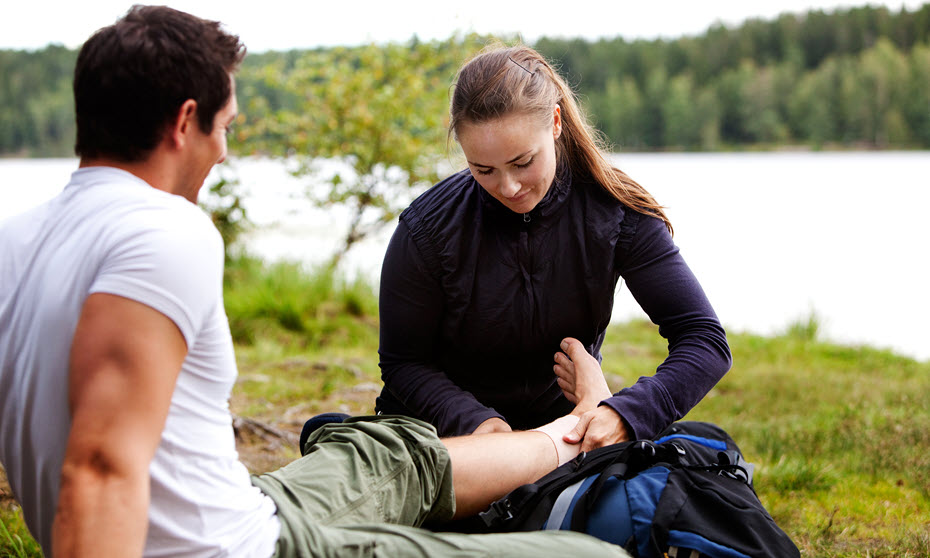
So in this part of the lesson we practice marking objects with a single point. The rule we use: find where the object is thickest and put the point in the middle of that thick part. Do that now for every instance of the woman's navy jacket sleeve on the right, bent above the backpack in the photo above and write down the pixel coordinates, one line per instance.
(698, 353)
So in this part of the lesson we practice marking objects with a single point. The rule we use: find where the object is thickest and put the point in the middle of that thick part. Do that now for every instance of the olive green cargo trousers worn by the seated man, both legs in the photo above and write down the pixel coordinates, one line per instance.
(366, 484)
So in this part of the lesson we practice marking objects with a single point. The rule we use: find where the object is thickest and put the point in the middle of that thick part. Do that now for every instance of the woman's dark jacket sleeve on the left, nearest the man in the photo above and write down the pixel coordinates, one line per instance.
(410, 307)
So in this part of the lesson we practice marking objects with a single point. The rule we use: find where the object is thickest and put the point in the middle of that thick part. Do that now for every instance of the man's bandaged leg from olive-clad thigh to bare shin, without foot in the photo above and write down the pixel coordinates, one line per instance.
(395, 470)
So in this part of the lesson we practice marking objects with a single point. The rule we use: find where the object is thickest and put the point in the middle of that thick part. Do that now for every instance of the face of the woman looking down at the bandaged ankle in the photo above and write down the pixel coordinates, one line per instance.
(512, 157)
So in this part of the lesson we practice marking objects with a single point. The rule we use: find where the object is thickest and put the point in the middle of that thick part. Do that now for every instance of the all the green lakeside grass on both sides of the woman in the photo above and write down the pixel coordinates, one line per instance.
(839, 435)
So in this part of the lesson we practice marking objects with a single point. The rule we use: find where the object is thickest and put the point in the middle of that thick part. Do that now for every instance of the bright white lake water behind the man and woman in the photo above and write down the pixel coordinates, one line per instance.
(773, 237)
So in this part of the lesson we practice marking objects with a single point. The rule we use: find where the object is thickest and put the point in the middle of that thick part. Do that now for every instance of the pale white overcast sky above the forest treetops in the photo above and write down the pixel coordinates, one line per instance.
(285, 24)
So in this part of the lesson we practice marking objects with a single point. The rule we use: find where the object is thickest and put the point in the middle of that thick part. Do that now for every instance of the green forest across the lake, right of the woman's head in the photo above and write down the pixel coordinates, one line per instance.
(857, 77)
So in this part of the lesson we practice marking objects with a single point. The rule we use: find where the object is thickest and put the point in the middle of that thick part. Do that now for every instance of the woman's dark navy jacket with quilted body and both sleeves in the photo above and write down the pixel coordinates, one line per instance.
(475, 300)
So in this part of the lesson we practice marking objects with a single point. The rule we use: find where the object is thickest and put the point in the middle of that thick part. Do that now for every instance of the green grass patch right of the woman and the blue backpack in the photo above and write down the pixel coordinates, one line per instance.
(840, 436)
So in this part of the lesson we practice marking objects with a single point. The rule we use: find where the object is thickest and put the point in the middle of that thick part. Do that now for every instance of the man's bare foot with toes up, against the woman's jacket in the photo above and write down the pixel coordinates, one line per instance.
(580, 376)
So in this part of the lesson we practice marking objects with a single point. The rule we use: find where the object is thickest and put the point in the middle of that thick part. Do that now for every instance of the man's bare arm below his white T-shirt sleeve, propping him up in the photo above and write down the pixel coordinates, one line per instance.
(125, 360)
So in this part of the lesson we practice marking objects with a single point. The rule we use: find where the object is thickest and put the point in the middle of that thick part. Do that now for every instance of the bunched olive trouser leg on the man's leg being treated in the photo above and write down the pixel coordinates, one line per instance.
(365, 470)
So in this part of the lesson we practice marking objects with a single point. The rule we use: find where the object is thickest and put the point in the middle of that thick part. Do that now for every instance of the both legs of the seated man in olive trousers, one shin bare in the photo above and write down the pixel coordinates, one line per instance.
(362, 480)
